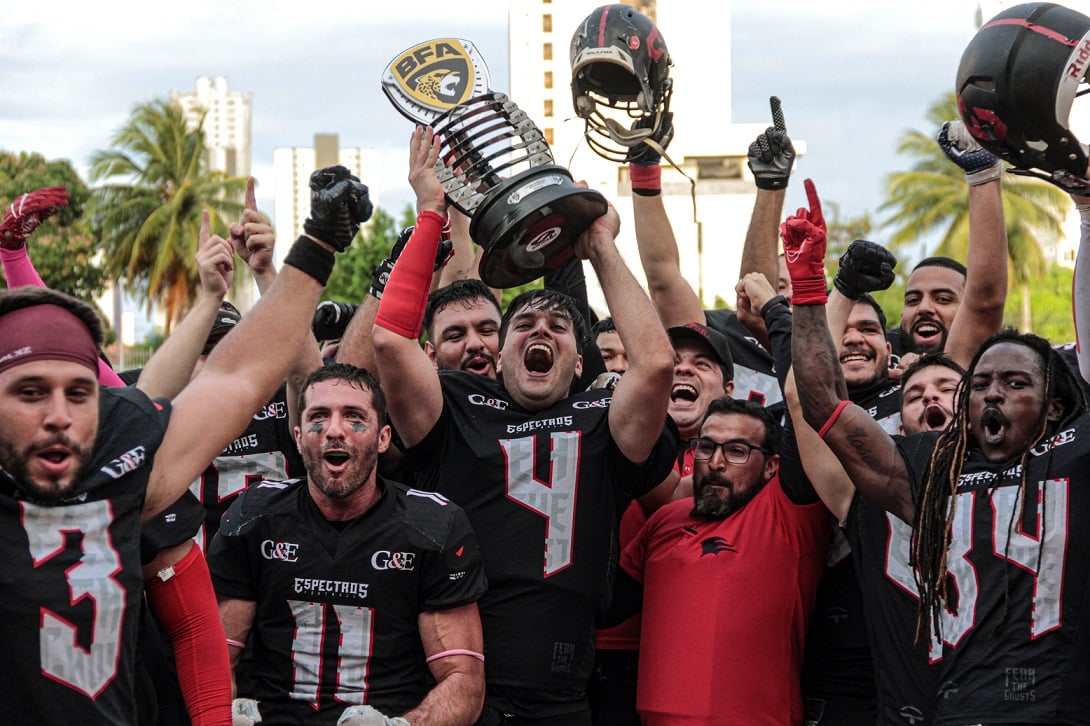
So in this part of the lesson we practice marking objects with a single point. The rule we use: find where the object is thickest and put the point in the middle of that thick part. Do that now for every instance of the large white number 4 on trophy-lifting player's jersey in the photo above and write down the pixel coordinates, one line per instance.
(555, 500)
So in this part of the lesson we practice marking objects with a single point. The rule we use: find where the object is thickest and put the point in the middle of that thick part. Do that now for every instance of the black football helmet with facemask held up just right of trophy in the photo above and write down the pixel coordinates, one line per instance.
(620, 62)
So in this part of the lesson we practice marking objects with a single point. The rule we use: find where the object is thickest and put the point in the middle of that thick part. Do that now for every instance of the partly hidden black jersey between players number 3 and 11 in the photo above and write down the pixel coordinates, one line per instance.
(264, 452)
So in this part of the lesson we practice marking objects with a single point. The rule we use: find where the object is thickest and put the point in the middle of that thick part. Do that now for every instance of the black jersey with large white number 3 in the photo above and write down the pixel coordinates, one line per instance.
(71, 586)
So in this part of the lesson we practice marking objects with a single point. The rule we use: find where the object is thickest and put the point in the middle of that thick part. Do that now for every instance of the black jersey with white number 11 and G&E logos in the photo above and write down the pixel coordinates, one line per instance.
(337, 611)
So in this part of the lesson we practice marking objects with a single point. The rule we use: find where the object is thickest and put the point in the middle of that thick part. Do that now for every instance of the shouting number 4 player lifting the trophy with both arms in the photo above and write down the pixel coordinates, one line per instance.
(542, 475)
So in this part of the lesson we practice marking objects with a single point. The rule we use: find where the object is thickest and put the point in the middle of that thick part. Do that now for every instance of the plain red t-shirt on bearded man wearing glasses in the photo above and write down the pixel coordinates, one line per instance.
(725, 610)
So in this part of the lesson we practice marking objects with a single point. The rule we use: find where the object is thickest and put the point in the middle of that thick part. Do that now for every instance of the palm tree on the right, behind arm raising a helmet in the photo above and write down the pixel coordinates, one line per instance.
(934, 198)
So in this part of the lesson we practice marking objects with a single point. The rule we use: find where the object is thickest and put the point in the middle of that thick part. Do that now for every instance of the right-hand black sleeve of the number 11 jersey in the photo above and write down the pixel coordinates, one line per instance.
(455, 575)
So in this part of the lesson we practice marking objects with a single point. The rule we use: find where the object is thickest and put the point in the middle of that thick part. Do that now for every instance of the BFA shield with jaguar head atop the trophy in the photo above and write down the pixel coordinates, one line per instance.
(434, 77)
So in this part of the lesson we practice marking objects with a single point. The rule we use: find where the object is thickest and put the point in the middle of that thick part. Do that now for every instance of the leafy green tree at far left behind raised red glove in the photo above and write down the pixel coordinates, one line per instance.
(64, 249)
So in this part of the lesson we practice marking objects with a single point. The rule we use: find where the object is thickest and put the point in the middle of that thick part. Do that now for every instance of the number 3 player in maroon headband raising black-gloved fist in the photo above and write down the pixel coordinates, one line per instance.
(81, 465)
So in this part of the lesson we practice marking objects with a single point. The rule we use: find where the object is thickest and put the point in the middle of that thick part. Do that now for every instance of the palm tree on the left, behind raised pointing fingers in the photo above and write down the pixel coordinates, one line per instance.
(150, 211)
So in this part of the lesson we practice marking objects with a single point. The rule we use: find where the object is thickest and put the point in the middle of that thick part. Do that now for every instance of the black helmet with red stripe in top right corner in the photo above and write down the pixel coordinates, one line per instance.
(1016, 86)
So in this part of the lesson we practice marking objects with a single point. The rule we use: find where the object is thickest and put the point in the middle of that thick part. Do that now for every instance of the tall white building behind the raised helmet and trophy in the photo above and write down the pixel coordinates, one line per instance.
(711, 239)
